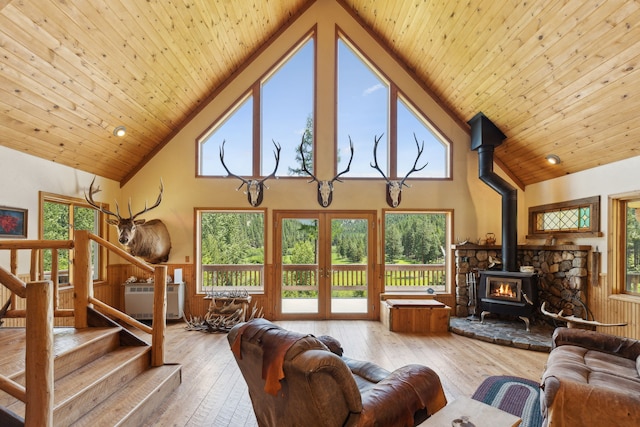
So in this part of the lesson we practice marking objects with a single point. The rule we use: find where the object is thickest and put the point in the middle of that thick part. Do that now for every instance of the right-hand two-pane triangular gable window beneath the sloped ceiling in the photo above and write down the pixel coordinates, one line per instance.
(364, 113)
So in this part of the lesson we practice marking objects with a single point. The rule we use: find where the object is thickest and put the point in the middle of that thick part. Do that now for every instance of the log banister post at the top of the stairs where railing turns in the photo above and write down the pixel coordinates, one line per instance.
(82, 285)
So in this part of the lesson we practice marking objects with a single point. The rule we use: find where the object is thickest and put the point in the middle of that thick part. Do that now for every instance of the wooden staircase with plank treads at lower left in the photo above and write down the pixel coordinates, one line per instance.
(103, 375)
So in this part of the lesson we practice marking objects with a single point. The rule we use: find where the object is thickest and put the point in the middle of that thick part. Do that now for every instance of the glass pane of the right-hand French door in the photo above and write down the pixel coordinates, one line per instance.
(349, 291)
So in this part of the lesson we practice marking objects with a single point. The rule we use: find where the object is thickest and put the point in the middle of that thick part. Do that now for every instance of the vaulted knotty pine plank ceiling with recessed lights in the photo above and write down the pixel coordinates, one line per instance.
(556, 77)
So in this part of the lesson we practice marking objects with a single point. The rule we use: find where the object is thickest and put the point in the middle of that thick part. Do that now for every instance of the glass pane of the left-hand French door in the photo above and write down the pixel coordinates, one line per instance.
(299, 265)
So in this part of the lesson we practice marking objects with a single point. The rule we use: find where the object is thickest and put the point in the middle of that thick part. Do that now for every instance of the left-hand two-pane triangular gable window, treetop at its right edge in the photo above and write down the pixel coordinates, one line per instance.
(278, 108)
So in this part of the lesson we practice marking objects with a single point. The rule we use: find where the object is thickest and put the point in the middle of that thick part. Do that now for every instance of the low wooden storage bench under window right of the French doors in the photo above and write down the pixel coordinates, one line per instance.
(415, 315)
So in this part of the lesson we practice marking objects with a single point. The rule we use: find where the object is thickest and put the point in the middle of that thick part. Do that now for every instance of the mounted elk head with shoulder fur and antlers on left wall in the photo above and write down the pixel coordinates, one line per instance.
(148, 240)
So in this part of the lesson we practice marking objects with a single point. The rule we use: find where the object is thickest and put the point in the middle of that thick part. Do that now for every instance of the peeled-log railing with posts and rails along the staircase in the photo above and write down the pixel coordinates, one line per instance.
(41, 296)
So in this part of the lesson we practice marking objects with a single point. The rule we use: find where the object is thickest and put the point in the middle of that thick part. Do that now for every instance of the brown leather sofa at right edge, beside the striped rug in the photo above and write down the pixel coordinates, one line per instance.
(591, 379)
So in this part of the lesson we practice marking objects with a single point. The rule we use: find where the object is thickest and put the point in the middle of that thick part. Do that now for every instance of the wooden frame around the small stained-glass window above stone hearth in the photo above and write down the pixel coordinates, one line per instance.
(594, 220)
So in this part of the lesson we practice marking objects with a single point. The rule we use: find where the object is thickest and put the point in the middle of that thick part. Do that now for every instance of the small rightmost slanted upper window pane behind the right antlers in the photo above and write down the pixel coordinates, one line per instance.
(410, 128)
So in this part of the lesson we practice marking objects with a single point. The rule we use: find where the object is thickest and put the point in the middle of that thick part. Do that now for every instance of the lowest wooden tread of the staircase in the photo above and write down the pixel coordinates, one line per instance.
(131, 396)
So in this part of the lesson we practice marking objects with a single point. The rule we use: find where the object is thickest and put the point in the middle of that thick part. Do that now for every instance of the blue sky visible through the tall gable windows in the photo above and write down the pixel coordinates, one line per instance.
(287, 101)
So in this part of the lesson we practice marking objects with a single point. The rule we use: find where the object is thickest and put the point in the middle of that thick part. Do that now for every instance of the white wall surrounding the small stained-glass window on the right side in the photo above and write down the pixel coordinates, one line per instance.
(604, 181)
